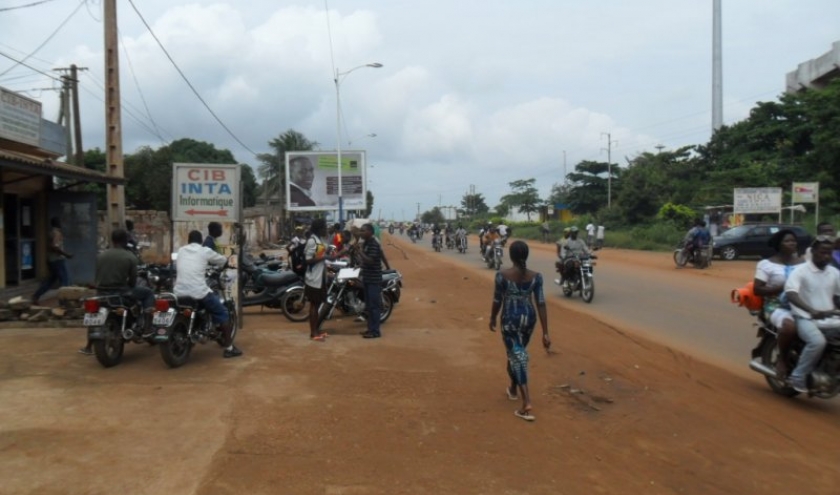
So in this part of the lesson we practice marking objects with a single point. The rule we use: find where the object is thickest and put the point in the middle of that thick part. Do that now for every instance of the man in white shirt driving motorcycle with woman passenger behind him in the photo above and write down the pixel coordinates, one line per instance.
(813, 290)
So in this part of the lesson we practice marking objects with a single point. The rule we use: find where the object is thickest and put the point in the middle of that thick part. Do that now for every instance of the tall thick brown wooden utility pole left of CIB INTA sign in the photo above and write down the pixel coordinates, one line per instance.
(113, 119)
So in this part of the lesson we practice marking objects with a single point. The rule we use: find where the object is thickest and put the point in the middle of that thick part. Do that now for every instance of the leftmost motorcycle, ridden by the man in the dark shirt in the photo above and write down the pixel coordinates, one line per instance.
(111, 321)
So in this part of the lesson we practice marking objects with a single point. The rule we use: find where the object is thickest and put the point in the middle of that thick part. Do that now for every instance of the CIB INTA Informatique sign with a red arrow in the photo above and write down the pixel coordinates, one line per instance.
(202, 191)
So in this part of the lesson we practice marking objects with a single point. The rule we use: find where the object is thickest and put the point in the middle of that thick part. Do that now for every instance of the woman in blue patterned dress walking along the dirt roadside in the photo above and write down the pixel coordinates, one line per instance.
(518, 290)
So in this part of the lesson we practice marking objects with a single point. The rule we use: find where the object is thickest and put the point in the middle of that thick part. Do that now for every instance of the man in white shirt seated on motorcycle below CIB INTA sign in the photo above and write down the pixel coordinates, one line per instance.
(190, 282)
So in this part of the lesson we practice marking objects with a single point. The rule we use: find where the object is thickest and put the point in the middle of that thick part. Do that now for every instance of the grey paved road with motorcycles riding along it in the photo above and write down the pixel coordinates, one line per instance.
(688, 309)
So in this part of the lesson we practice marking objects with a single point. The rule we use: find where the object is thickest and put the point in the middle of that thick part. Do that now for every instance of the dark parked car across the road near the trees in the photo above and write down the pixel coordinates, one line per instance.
(751, 240)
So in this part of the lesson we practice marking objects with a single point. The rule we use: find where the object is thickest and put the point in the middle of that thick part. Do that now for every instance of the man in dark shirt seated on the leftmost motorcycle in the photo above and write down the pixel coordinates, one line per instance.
(116, 273)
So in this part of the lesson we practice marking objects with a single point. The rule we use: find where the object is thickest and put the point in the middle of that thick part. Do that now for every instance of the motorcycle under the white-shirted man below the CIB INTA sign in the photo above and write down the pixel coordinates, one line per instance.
(180, 323)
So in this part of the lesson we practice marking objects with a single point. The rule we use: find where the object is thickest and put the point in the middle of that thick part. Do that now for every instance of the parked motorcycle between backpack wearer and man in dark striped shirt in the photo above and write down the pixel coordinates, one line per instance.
(346, 292)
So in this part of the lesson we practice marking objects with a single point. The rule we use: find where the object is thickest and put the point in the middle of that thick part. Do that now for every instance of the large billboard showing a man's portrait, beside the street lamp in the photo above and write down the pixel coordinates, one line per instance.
(312, 180)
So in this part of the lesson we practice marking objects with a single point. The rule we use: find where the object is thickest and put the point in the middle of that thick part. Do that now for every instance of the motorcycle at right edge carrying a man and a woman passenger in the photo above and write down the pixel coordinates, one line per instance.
(823, 382)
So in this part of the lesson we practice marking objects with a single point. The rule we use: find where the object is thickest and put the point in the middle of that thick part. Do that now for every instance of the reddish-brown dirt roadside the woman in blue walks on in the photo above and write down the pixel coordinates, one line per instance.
(421, 410)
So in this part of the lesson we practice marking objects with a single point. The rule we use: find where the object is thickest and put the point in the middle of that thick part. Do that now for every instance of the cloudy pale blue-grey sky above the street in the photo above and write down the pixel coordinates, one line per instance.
(472, 95)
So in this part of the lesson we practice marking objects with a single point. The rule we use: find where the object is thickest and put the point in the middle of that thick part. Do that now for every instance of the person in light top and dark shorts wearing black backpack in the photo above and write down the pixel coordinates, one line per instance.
(315, 289)
